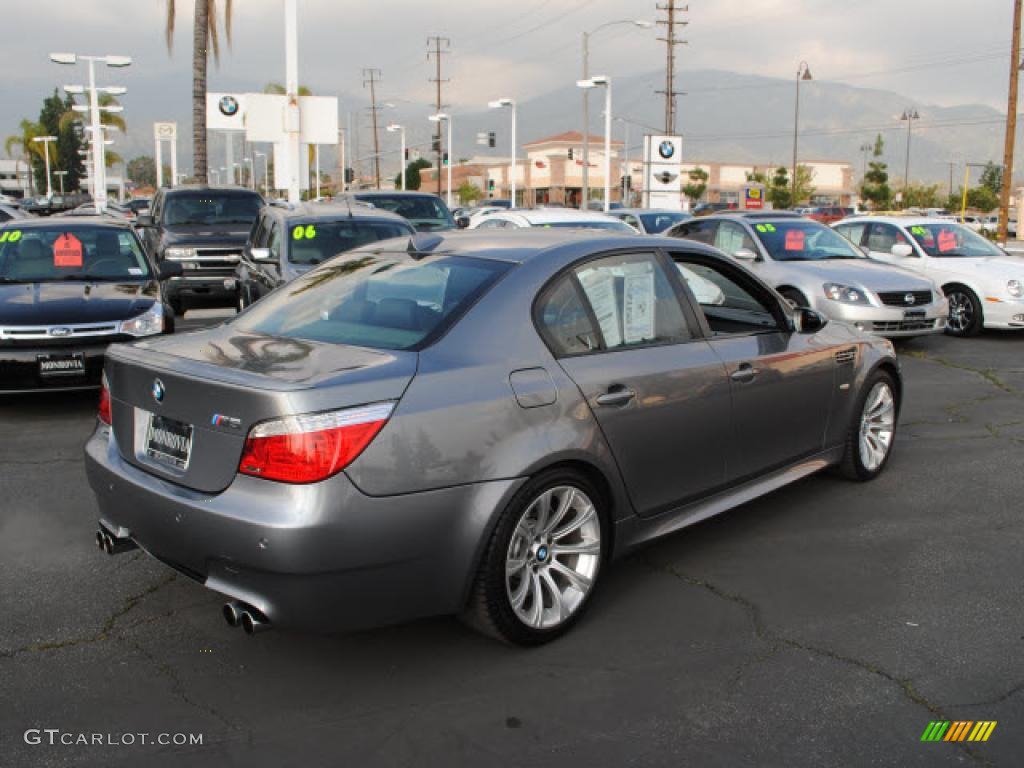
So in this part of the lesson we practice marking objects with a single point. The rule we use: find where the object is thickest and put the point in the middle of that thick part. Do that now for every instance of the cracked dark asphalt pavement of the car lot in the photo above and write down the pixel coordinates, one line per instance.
(826, 624)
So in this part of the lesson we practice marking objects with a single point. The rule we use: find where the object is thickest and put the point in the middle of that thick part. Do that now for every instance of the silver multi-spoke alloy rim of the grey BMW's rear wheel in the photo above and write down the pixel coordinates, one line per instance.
(553, 558)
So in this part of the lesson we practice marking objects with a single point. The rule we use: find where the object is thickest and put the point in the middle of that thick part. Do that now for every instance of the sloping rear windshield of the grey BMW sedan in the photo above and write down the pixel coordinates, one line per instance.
(377, 301)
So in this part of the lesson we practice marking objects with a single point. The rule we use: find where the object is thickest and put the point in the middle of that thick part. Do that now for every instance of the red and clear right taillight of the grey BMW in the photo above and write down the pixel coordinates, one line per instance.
(313, 447)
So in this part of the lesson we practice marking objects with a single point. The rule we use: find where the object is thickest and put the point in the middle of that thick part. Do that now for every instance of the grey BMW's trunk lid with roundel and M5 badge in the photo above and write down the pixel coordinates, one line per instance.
(215, 386)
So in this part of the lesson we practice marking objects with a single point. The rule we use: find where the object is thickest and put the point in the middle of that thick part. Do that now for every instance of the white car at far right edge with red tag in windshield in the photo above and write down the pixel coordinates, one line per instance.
(985, 285)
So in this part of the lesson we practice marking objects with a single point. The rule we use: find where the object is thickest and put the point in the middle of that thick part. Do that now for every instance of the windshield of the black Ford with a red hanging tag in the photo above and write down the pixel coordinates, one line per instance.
(69, 252)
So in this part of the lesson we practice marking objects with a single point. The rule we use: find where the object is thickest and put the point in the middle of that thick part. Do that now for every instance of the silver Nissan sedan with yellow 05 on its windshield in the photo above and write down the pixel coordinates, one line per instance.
(812, 267)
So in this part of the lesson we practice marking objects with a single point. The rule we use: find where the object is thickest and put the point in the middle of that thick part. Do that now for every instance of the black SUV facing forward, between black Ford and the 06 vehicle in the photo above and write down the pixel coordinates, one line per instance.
(204, 229)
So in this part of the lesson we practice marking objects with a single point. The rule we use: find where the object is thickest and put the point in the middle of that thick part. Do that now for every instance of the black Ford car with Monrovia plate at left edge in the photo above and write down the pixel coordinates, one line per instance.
(69, 287)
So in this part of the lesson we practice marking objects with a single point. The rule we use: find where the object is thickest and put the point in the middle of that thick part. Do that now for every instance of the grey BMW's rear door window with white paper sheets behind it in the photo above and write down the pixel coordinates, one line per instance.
(632, 301)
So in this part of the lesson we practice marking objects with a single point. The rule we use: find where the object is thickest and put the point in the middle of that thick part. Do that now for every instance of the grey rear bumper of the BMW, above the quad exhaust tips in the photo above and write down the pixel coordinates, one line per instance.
(323, 557)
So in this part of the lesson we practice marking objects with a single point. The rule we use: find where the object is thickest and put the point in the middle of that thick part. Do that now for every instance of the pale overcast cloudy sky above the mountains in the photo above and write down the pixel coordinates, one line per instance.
(932, 53)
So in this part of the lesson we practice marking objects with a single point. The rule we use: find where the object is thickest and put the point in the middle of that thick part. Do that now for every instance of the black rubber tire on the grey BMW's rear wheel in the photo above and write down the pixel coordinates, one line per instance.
(490, 609)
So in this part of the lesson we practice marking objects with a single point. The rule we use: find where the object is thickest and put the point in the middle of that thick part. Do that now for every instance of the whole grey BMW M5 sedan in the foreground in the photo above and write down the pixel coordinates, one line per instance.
(474, 423)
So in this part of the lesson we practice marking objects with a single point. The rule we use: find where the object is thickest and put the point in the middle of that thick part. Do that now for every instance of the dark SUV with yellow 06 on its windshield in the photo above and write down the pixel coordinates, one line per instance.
(288, 241)
